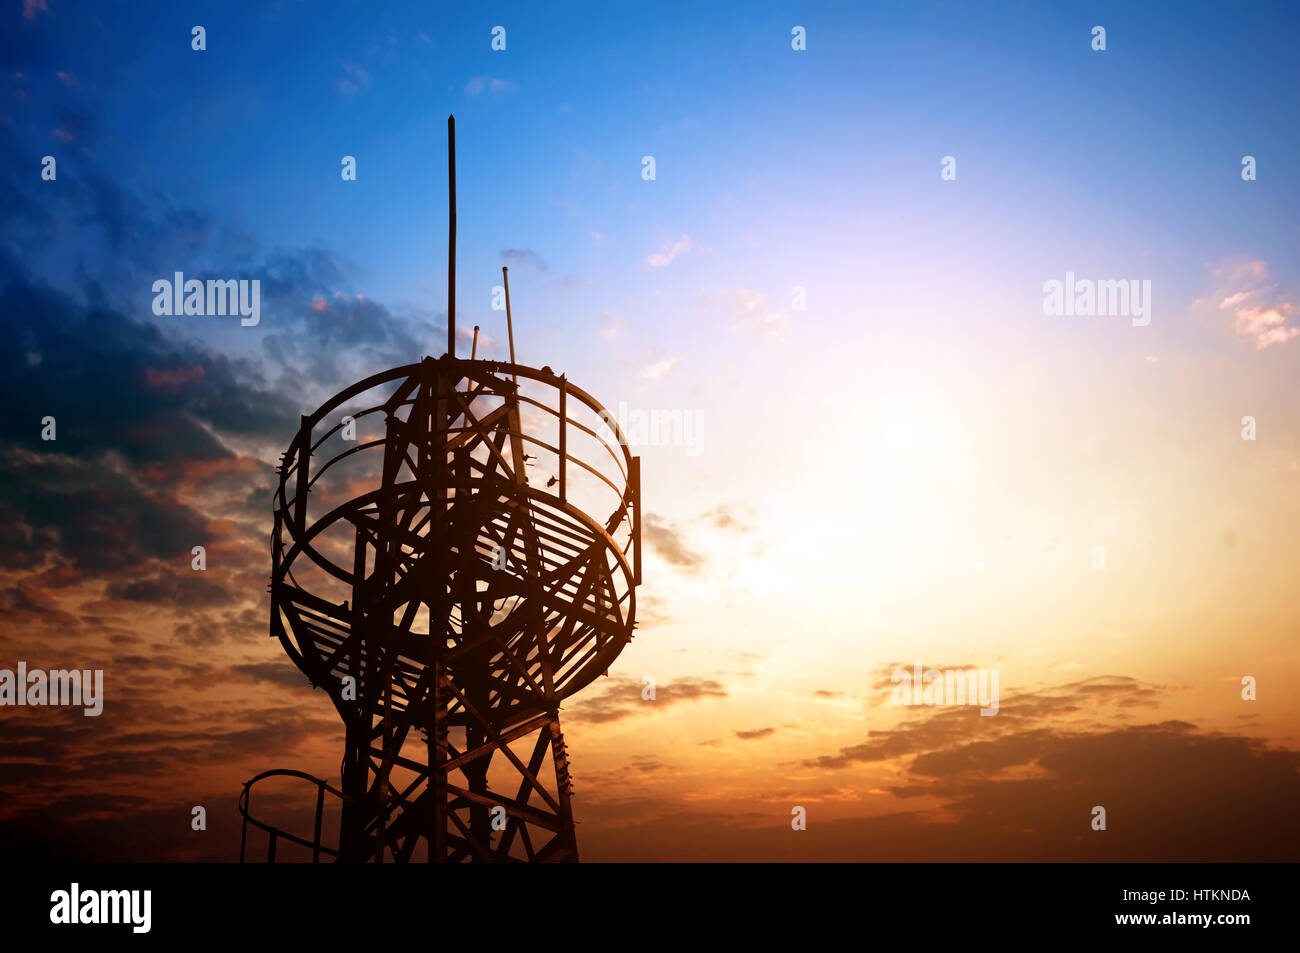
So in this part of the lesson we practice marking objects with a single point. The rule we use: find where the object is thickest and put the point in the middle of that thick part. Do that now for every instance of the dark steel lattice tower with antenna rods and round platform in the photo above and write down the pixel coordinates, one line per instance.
(457, 548)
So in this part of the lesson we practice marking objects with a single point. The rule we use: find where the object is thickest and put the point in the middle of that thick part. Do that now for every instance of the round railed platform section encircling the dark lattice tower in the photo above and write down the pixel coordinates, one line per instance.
(535, 483)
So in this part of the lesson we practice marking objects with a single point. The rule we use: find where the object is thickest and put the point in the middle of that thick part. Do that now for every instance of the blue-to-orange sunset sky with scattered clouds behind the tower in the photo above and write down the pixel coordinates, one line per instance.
(899, 457)
